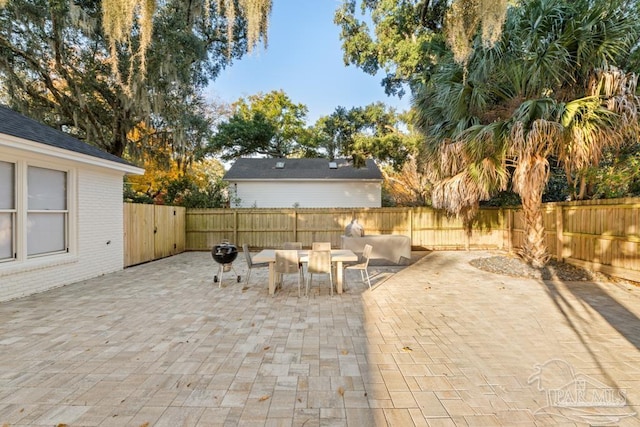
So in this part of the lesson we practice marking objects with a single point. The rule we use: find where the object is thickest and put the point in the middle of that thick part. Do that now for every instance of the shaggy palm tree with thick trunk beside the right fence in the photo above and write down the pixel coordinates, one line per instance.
(550, 89)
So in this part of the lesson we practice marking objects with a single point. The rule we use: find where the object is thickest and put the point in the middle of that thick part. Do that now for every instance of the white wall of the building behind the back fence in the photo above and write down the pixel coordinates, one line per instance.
(306, 194)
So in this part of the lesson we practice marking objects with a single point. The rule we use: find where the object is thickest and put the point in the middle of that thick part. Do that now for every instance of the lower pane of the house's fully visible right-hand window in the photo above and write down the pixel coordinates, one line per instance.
(45, 233)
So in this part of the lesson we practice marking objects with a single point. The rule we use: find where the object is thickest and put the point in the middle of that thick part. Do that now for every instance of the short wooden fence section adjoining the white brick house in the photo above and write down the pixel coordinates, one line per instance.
(152, 232)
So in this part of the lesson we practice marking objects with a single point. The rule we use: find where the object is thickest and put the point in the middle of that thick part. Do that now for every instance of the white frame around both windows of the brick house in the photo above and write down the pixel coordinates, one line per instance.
(21, 211)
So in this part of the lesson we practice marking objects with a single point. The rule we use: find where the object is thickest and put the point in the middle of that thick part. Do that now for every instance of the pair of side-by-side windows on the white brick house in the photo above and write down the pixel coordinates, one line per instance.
(34, 211)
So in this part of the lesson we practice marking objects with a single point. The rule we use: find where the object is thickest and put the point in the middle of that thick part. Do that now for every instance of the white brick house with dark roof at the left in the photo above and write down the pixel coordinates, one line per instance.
(61, 208)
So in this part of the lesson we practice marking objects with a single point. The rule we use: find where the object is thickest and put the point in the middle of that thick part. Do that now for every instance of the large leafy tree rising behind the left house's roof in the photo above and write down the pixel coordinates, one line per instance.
(55, 64)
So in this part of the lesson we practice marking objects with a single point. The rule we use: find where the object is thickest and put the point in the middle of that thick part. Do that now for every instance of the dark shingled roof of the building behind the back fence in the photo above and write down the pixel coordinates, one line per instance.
(265, 169)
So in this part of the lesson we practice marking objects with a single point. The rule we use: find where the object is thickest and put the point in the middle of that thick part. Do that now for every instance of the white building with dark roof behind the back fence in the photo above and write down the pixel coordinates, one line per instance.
(304, 183)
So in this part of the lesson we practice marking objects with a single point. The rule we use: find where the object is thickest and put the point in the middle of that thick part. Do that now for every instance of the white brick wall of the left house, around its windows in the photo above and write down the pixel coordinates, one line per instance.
(95, 218)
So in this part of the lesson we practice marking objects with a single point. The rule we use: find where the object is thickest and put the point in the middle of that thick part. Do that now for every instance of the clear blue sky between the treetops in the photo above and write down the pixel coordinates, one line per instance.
(303, 58)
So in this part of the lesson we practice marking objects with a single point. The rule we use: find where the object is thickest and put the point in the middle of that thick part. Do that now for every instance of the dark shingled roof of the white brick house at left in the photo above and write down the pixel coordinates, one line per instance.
(15, 124)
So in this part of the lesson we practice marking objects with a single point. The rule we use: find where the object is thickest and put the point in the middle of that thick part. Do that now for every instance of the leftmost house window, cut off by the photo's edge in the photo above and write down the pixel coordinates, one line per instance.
(7, 211)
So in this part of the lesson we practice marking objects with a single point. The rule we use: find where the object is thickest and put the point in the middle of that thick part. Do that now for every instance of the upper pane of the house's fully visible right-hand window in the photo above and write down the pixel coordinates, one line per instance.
(47, 189)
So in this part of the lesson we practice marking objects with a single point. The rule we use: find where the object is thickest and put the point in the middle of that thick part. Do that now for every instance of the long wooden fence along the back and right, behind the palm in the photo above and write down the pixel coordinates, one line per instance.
(602, 235)
